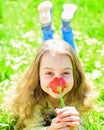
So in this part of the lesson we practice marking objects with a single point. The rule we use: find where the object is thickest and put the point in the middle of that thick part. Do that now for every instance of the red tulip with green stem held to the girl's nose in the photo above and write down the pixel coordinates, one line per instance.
(57, 85)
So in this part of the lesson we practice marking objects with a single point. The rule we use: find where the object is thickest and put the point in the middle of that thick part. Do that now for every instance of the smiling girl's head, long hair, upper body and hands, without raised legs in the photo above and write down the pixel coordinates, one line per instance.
(36, 106)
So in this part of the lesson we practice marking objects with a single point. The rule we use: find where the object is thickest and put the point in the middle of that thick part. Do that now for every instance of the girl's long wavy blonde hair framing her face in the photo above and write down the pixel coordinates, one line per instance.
(28, 92)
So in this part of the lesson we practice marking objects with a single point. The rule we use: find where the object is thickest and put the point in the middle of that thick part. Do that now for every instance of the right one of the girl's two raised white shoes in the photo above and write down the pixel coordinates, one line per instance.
(68, 12)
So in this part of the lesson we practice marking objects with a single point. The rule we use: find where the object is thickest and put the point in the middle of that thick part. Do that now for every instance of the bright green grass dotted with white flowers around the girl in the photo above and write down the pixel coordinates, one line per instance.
(20, 36)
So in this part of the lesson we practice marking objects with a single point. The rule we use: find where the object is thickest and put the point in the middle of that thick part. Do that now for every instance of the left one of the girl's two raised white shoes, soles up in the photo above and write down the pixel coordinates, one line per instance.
(45, 9)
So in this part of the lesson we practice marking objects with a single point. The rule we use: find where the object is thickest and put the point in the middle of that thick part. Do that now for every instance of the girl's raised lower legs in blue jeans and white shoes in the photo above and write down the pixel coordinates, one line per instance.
(45, 14)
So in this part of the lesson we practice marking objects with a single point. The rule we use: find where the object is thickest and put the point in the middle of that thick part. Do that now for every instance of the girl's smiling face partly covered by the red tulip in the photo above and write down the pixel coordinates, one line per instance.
(56, 65)
